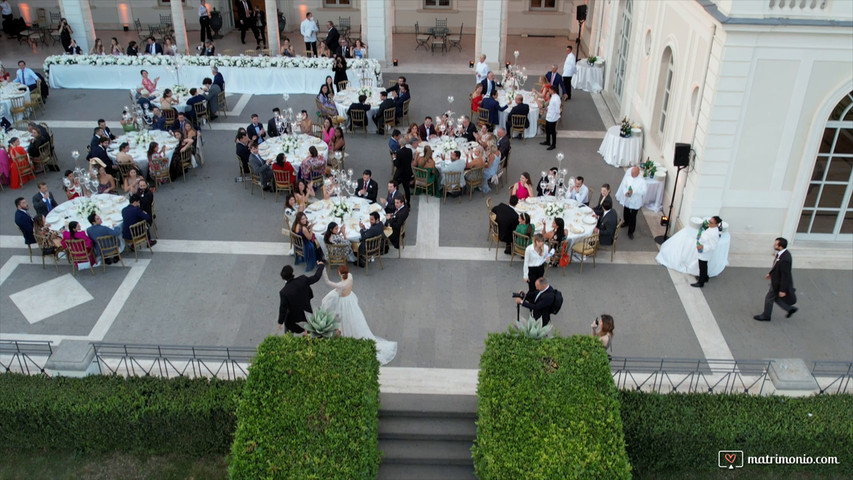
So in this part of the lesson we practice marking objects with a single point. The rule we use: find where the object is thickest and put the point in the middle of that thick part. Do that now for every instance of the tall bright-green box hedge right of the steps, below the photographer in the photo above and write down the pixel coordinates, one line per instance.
(548, 409)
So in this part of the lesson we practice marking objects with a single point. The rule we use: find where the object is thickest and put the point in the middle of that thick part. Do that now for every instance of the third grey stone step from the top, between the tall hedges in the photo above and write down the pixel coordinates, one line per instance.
(426, 452)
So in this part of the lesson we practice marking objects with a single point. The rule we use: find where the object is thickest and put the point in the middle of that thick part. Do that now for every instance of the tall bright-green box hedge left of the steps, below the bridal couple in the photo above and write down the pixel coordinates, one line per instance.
(310, 410)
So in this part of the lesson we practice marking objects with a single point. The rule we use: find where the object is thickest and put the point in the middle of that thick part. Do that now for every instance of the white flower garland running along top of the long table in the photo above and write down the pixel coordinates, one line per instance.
(367, 64)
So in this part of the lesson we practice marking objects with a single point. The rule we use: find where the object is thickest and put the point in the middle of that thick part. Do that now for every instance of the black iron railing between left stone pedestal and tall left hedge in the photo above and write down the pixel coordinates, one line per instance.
(173, 360)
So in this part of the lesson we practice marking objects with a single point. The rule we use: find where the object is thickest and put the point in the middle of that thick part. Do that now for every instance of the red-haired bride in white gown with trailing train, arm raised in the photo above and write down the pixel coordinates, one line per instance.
(344, 303)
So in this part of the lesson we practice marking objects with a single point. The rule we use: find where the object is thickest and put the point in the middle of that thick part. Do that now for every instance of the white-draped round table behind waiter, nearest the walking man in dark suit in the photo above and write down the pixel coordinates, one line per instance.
(679, 251)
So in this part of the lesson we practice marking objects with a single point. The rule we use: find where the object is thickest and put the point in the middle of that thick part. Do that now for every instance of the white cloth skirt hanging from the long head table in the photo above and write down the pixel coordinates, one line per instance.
(259, 81)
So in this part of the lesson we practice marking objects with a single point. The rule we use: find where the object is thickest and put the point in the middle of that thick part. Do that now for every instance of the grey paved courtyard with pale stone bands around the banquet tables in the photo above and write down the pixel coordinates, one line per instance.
(213, 278)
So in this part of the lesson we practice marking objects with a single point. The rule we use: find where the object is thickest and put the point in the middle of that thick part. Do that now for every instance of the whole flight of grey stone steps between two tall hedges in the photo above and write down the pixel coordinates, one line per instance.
(427, 437)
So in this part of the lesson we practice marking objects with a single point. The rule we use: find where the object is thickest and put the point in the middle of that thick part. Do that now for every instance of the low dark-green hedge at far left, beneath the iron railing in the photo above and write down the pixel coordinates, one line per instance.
(109, 413)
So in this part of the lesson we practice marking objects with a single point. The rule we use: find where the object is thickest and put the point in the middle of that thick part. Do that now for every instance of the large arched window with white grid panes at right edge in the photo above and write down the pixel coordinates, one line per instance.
(828, 208)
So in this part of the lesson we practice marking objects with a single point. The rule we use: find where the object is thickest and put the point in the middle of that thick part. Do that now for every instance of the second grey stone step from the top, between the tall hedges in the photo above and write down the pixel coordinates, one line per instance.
(427, 428)
